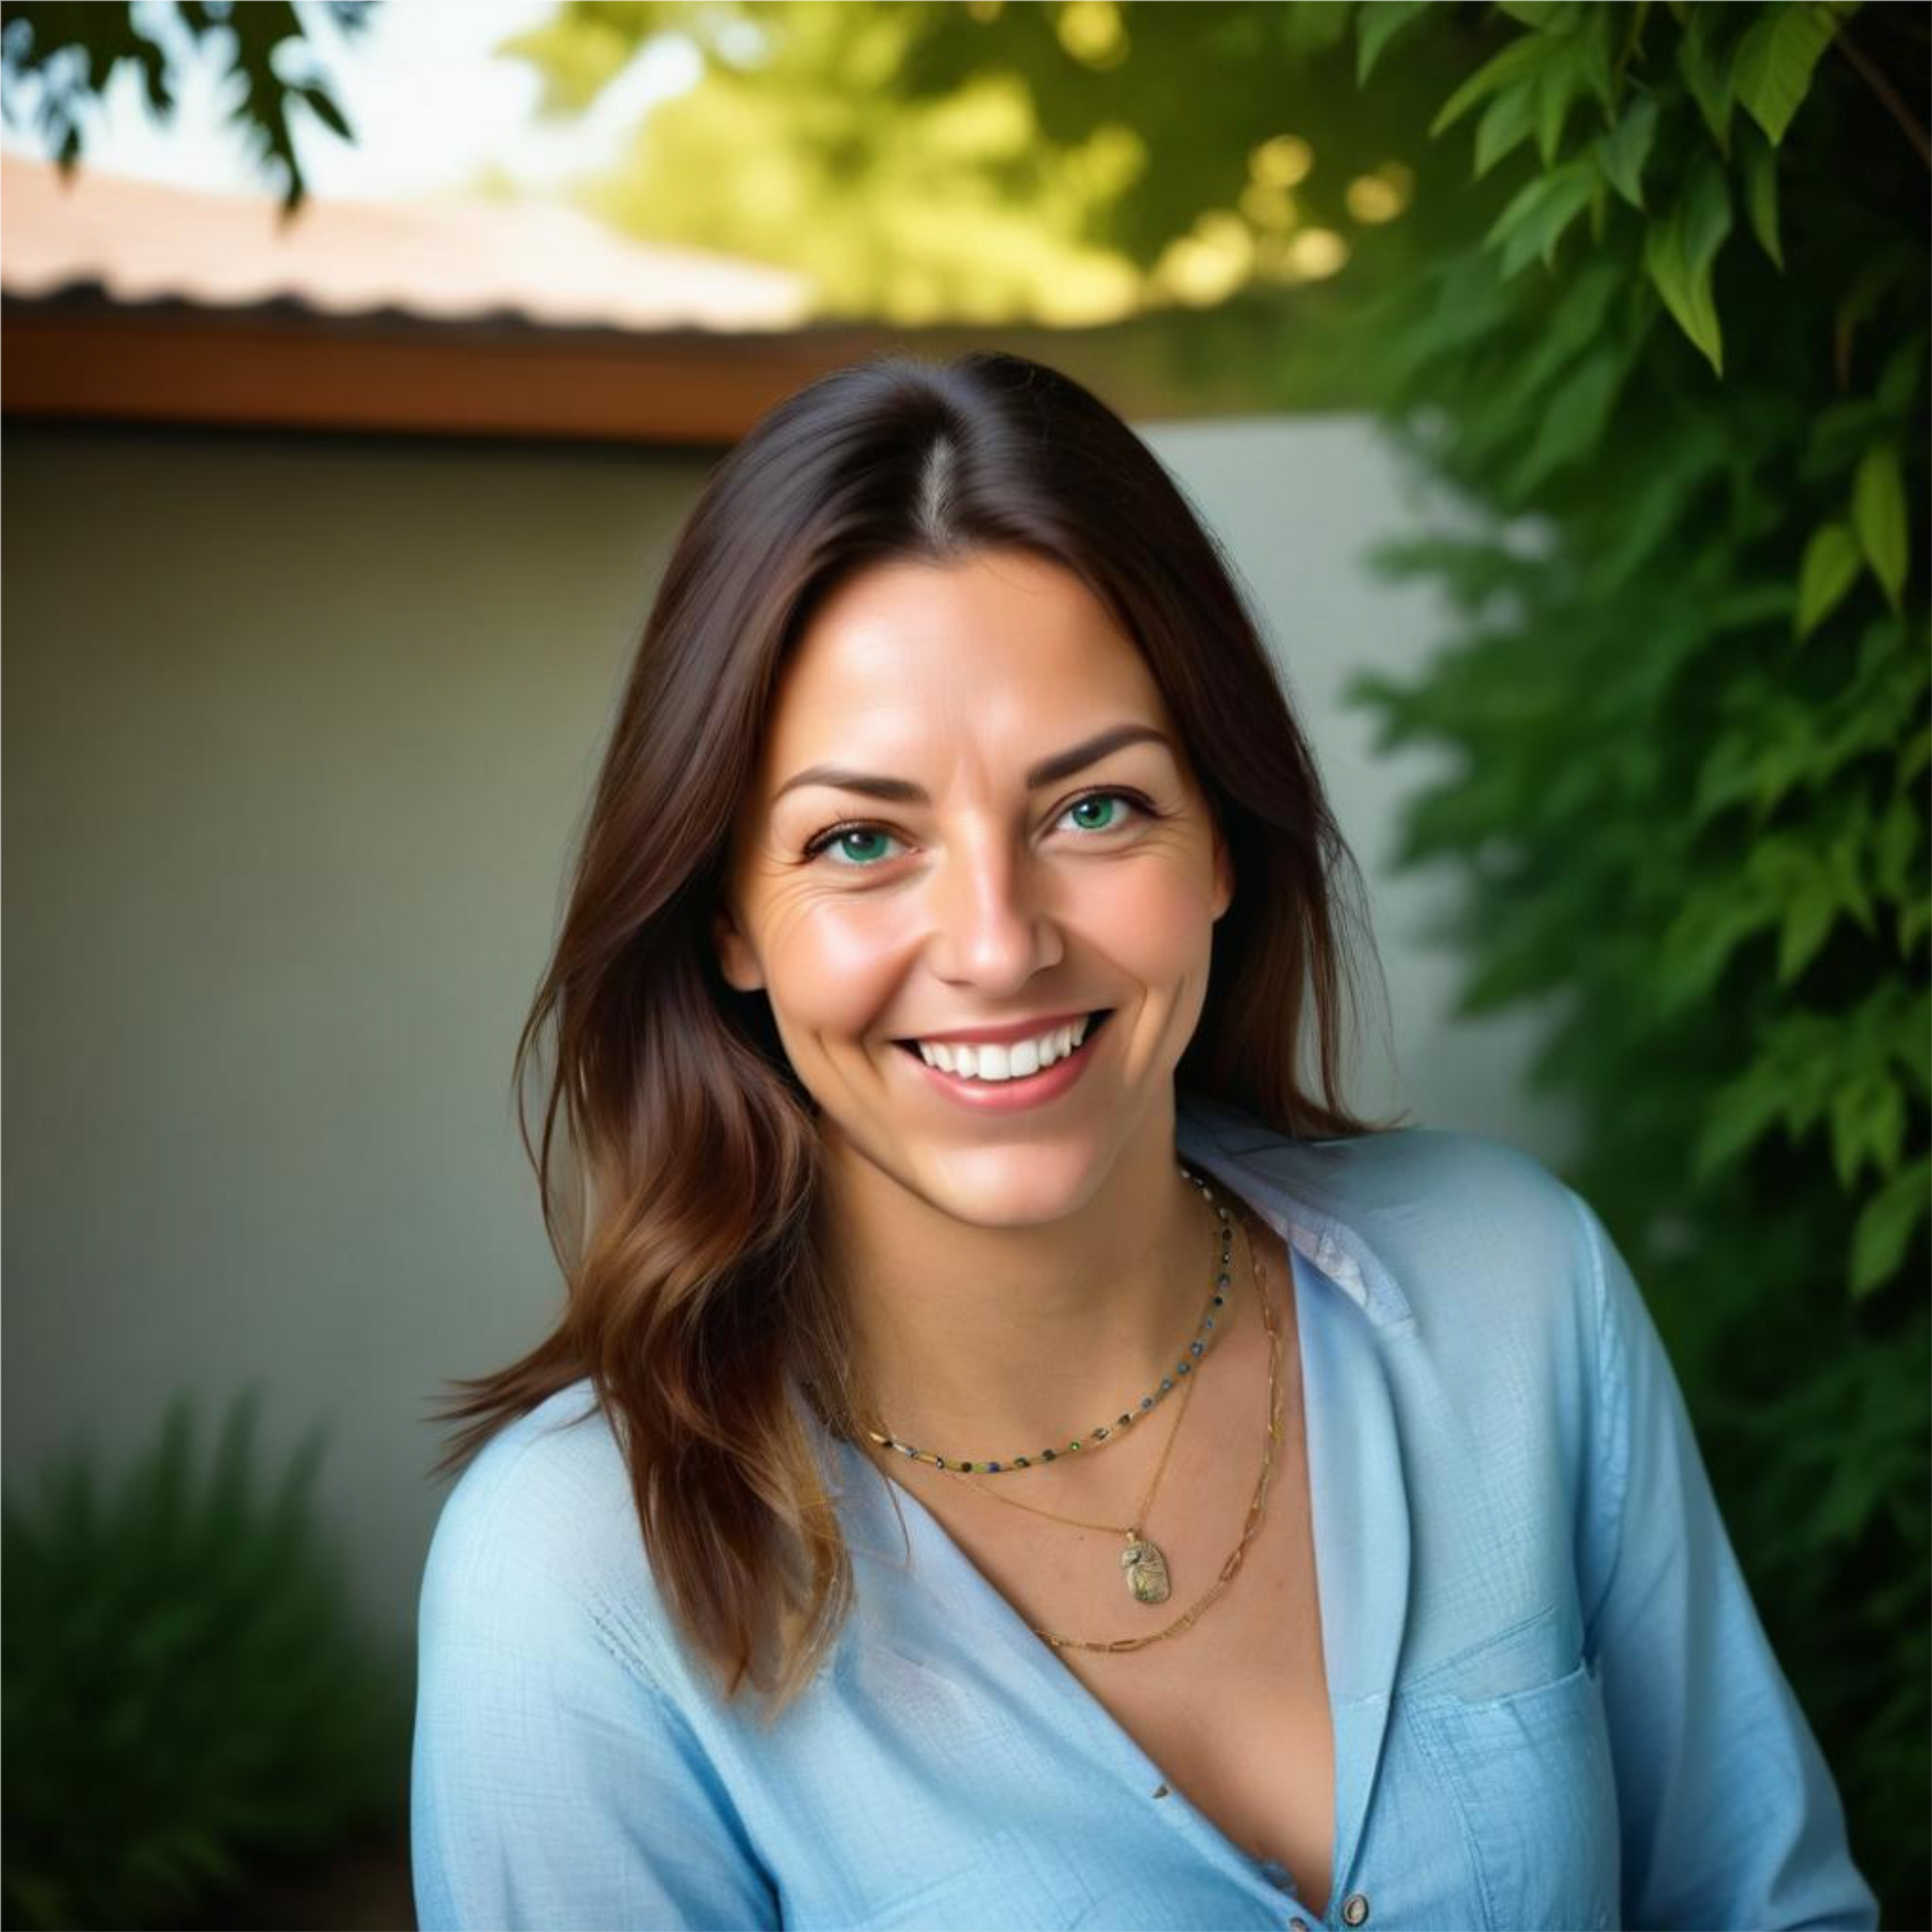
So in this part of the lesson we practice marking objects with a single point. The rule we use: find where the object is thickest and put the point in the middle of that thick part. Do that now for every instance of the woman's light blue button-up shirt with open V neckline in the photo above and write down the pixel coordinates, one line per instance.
(1554, 1705)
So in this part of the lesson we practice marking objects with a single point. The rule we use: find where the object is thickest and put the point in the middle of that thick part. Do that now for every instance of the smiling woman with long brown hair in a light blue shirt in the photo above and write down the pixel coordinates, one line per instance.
(1013, 1454)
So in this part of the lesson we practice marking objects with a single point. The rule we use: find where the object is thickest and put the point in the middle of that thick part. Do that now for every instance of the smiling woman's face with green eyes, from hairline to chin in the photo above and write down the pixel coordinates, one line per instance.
(975, 809)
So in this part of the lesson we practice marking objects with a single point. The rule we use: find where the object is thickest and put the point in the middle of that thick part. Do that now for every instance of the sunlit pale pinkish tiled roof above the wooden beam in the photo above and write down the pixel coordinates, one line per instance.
(142, 242)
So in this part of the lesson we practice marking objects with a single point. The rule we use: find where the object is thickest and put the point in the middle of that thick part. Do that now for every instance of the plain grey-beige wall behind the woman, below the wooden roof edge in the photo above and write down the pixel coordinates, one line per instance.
(293, 743)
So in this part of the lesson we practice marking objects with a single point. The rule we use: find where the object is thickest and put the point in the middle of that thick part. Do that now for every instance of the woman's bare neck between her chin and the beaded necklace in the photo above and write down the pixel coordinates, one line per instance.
(988, 1342)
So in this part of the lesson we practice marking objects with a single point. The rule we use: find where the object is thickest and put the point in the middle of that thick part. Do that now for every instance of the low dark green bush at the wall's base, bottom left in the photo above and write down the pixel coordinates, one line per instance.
(185, 1686)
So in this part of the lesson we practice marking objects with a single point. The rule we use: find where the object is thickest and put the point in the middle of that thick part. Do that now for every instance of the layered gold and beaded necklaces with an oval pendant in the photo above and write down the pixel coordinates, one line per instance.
(1143, 1564)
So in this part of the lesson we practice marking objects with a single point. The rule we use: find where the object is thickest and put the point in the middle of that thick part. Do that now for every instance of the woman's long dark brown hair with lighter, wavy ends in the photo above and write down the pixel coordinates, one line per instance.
(679, 1156)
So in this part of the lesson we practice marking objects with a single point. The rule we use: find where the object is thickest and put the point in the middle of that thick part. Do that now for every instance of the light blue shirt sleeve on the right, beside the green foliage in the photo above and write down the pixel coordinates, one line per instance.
(1730, 1817)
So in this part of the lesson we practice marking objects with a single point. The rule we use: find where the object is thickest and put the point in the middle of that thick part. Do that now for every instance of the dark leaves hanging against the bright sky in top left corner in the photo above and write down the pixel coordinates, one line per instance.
(57, 59)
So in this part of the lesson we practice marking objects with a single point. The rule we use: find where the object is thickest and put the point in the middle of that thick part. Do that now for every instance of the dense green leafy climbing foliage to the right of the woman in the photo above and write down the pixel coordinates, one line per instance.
(1693, 733)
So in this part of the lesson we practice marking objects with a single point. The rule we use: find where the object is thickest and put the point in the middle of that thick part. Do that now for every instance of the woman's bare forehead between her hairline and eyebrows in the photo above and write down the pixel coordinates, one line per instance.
(903, 654)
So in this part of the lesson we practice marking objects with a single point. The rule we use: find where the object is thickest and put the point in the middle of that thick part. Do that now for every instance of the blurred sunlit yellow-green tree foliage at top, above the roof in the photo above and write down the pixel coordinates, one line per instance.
(990, 163)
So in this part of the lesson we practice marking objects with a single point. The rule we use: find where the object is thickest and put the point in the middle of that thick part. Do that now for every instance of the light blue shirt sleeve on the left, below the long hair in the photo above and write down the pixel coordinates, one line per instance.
(554, 1784)
